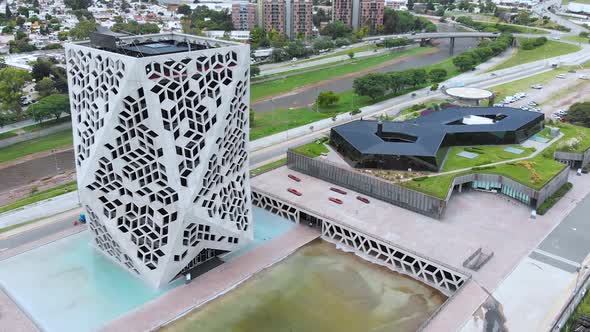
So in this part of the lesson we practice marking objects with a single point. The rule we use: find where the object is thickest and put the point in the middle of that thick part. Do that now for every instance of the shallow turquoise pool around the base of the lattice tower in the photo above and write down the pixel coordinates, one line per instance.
(68, 286)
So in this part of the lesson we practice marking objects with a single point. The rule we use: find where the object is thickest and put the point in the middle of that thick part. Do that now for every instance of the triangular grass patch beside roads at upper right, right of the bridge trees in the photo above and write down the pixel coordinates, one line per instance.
(549, 50)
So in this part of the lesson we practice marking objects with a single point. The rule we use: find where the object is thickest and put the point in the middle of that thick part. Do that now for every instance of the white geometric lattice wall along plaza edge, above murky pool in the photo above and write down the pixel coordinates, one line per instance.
(371, 247)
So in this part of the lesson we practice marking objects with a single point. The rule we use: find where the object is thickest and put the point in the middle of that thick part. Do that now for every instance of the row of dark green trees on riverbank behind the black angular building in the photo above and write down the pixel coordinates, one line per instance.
(376, 85)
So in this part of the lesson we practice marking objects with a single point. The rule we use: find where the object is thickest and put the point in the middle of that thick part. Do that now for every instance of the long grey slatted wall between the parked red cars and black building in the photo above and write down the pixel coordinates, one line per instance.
(368, 185)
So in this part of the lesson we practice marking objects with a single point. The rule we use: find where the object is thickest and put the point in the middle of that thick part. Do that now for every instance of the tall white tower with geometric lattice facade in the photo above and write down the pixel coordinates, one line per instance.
(161, 145)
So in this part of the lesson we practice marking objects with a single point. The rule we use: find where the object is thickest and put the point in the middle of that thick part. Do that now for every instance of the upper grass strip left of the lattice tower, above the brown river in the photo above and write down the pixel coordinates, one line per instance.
(53, 141)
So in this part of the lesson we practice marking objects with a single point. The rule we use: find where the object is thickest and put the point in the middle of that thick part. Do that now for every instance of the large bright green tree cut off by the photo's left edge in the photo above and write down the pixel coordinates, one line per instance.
(12, 82)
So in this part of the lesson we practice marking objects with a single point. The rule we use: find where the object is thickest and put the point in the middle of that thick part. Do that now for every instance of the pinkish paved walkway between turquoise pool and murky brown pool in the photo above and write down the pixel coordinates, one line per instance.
(212, 284)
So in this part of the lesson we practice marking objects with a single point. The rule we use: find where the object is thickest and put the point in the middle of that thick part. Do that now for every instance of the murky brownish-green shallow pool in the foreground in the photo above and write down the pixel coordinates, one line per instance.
(318, 288)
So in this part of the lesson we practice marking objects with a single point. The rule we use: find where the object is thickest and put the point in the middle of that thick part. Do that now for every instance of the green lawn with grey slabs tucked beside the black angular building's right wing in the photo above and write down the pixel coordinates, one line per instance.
(487, 154)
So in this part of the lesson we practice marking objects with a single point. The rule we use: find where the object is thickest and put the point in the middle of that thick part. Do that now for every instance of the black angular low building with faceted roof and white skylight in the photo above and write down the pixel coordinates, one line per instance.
(422, 143)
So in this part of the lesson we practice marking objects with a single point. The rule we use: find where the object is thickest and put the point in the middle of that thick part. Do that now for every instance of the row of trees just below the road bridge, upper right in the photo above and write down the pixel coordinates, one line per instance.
(486, 50)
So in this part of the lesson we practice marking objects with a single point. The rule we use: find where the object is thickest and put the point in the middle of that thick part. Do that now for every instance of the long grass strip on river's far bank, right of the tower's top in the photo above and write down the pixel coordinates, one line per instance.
(265, 89)
